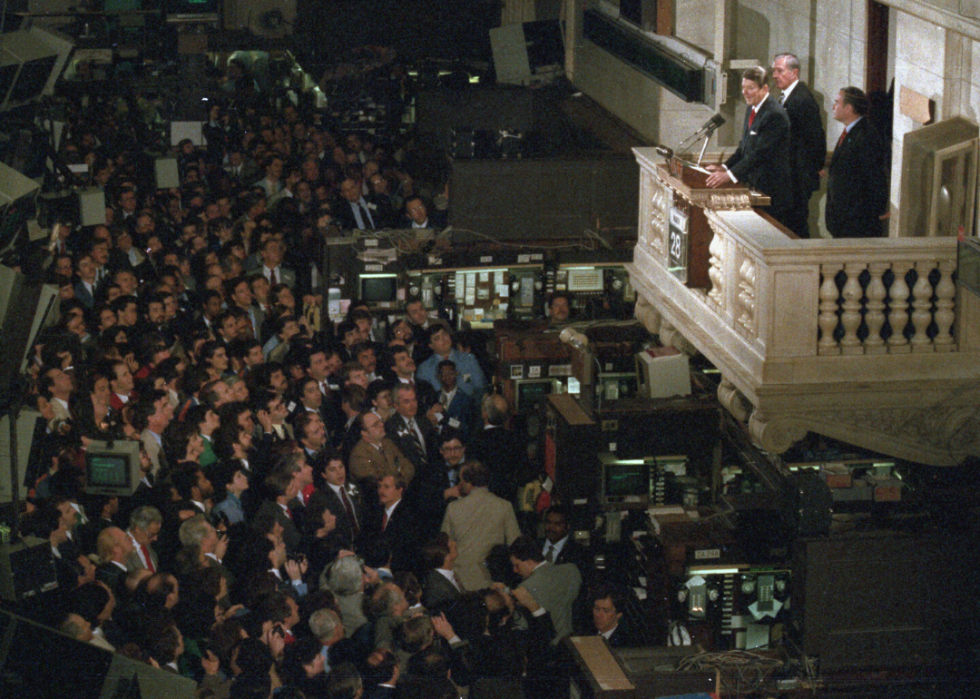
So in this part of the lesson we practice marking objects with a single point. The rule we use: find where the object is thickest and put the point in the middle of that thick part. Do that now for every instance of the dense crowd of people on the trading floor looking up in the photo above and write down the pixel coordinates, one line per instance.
(326, 508)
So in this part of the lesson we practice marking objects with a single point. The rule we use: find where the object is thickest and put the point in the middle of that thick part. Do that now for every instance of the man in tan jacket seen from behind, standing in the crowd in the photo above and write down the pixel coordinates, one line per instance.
(477, 522)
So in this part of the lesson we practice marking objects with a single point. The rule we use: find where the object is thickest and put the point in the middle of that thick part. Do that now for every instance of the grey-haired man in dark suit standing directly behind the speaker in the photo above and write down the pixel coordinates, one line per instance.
(807, 141)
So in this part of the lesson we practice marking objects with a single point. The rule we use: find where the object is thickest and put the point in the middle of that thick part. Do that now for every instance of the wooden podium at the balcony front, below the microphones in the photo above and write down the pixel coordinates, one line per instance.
(690, 234)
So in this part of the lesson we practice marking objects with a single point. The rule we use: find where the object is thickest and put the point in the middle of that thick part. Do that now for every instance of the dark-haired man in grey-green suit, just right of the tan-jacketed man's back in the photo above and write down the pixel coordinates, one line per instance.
(552, 587)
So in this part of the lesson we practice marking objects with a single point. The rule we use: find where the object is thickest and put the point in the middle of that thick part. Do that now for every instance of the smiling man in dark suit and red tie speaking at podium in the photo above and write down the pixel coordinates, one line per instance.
(762, 159)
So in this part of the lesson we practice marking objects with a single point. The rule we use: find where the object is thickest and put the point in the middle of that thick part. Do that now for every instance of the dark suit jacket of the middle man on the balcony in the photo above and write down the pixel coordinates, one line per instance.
(809, 147)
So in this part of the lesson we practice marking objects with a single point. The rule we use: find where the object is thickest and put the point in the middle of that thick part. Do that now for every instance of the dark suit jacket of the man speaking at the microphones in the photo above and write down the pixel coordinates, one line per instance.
(762, 160)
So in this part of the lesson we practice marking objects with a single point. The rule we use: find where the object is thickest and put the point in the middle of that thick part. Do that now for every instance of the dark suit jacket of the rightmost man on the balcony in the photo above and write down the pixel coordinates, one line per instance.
(857, 185)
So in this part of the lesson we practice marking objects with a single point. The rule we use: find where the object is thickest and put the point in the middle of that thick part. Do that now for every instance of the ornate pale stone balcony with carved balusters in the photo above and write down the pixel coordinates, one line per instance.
(866, 341)
